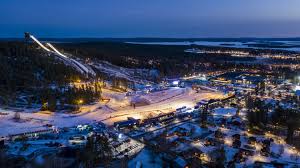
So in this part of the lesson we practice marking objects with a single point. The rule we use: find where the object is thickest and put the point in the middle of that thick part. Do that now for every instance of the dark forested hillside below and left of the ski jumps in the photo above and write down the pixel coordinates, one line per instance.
(26, 70)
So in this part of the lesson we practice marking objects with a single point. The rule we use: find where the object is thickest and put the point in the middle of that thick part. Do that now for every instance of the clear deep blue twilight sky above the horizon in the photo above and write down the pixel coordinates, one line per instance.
(150, 18)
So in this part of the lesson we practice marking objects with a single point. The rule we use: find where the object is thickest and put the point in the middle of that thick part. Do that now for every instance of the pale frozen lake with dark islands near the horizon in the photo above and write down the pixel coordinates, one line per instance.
(275, 45)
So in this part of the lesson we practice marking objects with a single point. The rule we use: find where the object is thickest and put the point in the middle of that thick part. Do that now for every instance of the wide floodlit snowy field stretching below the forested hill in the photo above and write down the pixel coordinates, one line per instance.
(118, 108)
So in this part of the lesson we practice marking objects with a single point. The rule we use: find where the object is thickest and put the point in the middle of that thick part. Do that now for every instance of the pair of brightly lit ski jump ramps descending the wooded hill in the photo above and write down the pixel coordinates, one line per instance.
(82, 68)
